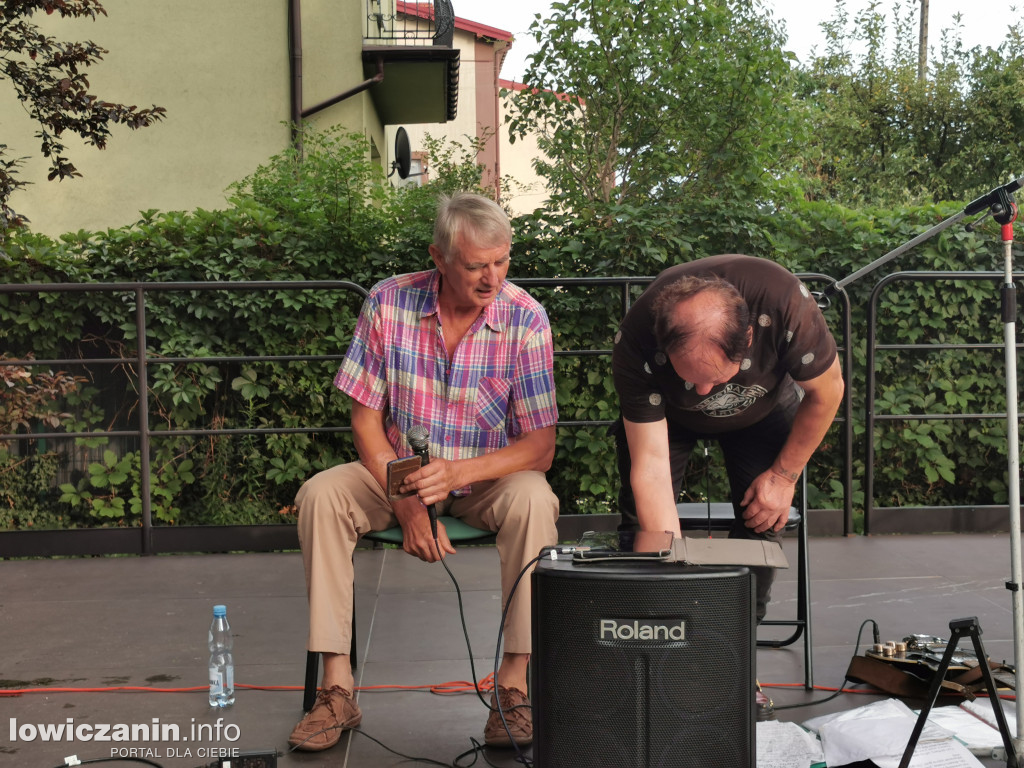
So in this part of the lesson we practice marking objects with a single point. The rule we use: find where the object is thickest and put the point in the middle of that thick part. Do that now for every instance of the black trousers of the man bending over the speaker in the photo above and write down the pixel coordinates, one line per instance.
(748, 452)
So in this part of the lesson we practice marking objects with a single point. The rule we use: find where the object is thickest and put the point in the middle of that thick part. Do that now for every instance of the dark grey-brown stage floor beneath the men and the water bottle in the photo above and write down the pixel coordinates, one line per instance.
(72, 630)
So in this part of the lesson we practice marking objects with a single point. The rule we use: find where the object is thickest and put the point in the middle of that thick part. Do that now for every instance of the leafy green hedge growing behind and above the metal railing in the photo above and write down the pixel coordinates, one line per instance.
(326, 220)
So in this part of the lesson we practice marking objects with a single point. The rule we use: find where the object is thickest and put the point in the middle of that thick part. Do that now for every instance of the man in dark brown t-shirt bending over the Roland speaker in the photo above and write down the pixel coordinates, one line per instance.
(732, 349)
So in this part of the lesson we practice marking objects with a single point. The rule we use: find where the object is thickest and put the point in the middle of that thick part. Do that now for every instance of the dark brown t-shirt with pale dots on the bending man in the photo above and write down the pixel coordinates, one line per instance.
(791, 343)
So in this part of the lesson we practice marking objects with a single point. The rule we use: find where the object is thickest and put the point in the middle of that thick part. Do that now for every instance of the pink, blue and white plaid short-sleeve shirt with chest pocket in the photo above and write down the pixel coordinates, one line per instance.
(500, 383)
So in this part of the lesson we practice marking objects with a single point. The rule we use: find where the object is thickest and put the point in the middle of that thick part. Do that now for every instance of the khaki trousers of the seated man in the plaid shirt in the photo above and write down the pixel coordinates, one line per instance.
(338, 505)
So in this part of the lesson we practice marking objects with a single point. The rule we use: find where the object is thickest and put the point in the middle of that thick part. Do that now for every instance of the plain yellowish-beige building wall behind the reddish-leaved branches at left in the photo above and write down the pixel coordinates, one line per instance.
(222, 70)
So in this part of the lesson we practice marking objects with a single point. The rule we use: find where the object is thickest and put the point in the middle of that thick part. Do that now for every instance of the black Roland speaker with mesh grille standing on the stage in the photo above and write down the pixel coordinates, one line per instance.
(645, 665)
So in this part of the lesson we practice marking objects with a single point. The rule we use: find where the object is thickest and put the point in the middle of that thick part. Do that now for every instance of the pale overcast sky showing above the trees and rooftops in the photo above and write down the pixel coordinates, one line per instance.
(983, 25)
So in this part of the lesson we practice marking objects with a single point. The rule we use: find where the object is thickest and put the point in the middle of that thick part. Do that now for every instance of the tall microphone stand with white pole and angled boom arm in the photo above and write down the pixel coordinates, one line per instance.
(1000, 204)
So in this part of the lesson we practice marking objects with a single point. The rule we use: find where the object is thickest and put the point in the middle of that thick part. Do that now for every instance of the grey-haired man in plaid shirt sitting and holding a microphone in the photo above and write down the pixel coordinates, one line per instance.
(466, 355)
